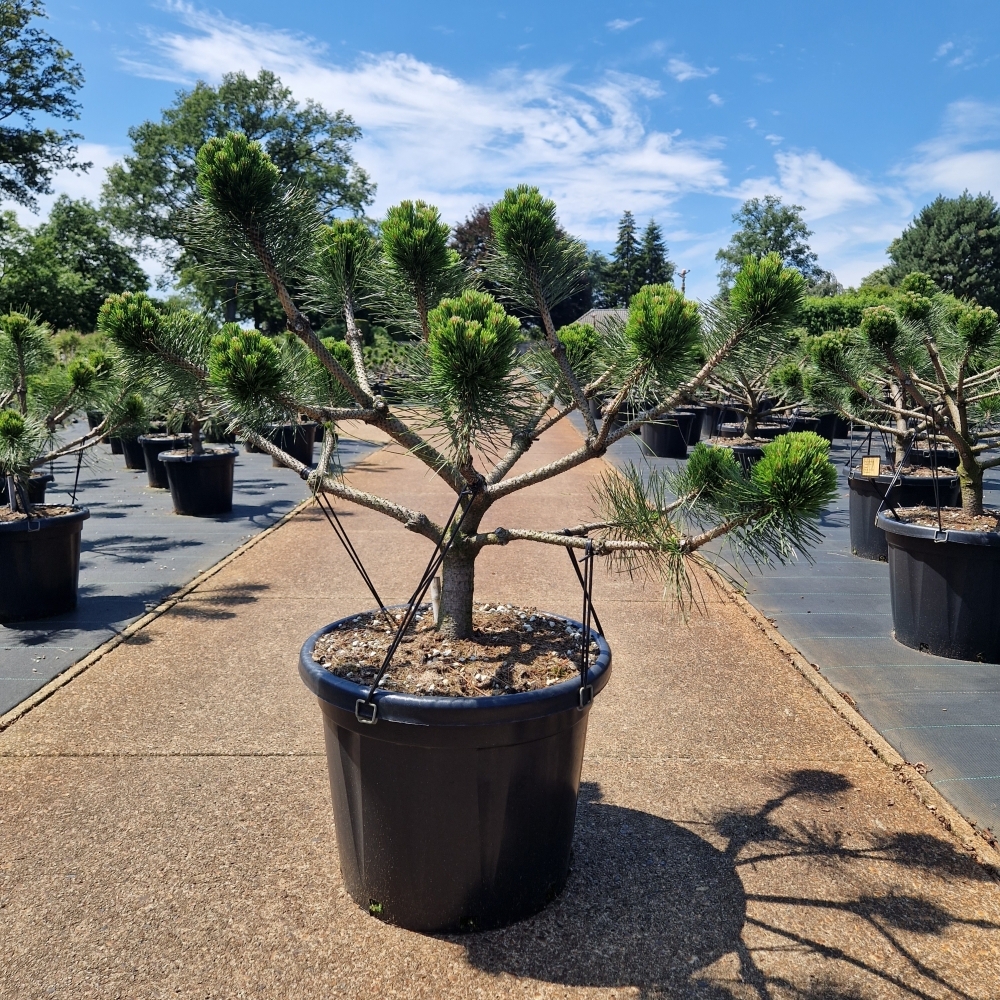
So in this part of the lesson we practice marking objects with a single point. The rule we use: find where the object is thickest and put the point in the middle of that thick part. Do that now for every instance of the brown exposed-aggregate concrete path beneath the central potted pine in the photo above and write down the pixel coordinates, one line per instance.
(167, 829)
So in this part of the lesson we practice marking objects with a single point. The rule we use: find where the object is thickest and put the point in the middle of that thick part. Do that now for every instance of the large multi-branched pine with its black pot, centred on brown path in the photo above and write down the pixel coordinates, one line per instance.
(455, 770)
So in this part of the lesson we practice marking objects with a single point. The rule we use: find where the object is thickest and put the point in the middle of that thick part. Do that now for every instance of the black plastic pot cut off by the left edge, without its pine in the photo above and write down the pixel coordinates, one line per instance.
(41, 565)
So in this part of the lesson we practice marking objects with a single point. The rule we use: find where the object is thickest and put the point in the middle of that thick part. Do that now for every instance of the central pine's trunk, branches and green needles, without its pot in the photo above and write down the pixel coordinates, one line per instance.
(468, 370)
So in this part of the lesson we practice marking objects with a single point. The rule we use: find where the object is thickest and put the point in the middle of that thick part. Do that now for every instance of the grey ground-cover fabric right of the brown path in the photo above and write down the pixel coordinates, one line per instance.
(836, 611)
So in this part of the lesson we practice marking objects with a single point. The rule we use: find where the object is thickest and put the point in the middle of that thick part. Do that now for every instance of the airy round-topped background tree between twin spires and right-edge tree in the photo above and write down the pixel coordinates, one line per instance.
(766, 226)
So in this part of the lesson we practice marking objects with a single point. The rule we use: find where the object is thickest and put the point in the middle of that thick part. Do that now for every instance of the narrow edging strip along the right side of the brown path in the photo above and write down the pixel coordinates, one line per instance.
(961, 830)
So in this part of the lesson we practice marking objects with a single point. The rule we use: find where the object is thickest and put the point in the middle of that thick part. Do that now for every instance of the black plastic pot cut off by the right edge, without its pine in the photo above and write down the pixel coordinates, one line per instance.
(945, 590)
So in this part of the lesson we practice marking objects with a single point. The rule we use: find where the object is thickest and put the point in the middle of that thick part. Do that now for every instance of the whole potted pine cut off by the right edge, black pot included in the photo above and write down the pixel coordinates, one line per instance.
(944, 563)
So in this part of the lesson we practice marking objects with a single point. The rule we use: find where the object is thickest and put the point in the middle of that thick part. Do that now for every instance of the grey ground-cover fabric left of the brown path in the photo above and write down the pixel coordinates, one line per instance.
(135, 551)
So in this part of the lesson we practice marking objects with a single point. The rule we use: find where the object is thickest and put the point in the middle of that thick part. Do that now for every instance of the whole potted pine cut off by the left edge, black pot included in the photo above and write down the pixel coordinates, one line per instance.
(40, 543)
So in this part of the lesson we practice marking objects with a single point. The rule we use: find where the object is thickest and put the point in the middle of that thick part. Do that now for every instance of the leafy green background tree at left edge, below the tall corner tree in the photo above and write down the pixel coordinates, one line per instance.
(65, 269)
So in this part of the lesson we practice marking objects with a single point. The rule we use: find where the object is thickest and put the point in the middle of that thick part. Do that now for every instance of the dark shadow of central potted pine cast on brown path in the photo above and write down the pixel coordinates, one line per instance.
(650, 905)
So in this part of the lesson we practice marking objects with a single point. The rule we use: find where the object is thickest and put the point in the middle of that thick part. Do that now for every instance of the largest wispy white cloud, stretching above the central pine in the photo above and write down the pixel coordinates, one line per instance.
(430, 134)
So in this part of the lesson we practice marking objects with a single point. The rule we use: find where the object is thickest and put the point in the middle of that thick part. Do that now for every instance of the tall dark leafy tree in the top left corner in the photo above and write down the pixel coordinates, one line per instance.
(37, 77)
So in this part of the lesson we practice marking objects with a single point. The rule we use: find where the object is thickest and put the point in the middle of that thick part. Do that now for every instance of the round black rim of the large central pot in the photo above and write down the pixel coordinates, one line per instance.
(422, 710)
